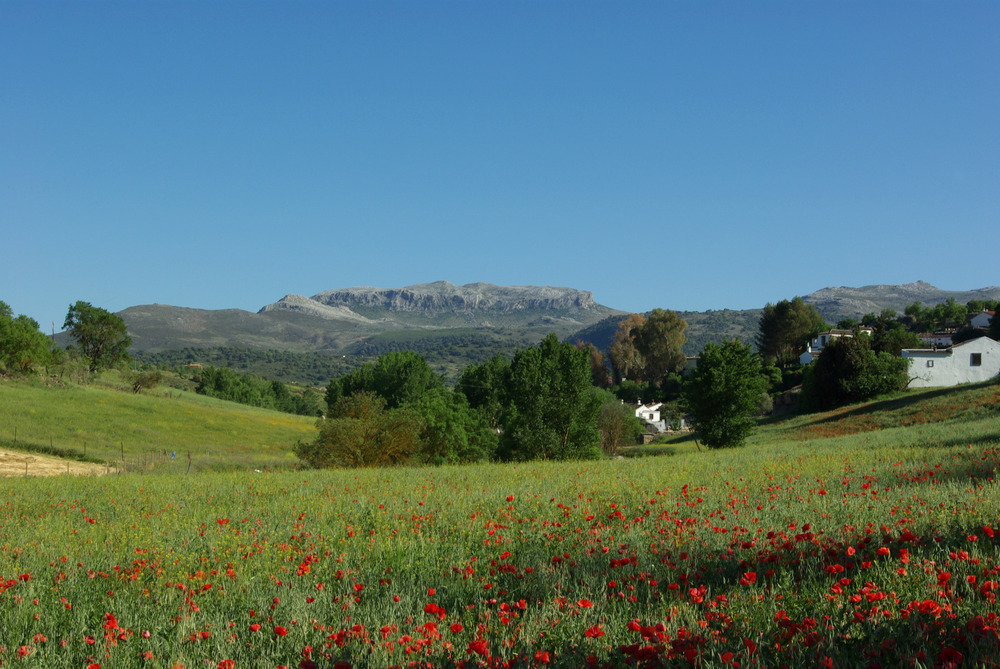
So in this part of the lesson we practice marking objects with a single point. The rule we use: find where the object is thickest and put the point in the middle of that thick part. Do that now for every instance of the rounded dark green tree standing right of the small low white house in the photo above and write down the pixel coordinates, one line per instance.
(724, 392)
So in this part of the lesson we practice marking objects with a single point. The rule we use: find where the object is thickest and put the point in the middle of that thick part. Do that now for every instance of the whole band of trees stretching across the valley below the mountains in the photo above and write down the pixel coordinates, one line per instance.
(552, 400)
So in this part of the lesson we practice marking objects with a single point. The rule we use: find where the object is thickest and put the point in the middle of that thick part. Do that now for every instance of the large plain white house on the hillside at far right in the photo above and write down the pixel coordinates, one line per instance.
(969, 362)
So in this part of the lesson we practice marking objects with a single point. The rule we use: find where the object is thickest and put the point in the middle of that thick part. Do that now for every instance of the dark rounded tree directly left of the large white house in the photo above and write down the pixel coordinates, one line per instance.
(850, 370)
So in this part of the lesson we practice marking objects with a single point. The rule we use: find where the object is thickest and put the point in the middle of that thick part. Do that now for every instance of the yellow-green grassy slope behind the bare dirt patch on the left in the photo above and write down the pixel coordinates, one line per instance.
(102, 421)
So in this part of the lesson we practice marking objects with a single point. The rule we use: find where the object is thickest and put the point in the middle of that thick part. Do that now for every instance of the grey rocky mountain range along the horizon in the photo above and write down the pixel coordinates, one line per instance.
(461, 324)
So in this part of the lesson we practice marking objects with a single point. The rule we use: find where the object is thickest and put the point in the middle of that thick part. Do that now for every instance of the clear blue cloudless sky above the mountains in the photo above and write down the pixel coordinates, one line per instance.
(683, 155)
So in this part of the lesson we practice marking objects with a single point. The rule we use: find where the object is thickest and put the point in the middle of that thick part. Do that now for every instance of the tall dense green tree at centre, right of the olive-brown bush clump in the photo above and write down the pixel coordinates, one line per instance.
(550, 414)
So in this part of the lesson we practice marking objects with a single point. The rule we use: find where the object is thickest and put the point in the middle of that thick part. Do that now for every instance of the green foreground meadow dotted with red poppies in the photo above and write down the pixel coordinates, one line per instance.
(862, 537)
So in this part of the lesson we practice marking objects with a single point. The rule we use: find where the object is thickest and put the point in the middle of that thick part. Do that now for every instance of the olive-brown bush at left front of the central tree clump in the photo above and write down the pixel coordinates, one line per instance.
(361, 432)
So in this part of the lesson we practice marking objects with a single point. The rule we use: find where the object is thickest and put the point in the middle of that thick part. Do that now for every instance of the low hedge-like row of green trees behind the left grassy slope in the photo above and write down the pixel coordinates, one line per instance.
(254, 391)
